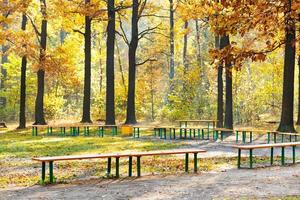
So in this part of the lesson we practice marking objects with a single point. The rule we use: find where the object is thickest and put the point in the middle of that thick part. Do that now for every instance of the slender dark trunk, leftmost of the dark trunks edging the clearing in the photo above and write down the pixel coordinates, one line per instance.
(22, 115)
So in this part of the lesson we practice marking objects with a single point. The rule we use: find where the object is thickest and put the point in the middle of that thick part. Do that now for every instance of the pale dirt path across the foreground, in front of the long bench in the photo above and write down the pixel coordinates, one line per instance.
(260, 183)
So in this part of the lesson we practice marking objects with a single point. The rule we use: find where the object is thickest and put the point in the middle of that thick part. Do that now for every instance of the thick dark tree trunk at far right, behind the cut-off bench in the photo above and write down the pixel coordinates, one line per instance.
(287, 119)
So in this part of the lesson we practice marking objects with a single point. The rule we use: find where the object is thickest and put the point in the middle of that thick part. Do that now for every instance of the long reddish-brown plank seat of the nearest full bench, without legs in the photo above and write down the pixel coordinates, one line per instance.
(135, 154)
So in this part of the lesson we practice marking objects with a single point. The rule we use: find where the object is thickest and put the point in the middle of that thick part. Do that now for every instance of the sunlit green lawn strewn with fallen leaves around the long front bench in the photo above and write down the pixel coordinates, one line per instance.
(18, 147)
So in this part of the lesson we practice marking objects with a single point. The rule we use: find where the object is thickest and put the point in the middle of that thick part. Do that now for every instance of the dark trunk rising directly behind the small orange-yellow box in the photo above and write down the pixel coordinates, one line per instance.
(130, 116)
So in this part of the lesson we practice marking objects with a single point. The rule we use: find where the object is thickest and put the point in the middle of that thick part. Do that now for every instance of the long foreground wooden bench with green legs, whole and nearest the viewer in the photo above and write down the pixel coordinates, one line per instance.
(117, 156)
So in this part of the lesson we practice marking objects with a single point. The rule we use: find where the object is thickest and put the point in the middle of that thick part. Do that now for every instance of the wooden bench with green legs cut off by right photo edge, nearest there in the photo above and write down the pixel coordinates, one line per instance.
(264, 146)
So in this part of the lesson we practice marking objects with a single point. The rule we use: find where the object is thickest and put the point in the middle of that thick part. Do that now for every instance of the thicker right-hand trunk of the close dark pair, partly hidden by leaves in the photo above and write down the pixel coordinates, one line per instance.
(228, 96)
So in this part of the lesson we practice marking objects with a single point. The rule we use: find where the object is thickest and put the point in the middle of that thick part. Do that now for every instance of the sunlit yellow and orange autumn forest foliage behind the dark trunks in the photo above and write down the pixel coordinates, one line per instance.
(176, 72)
